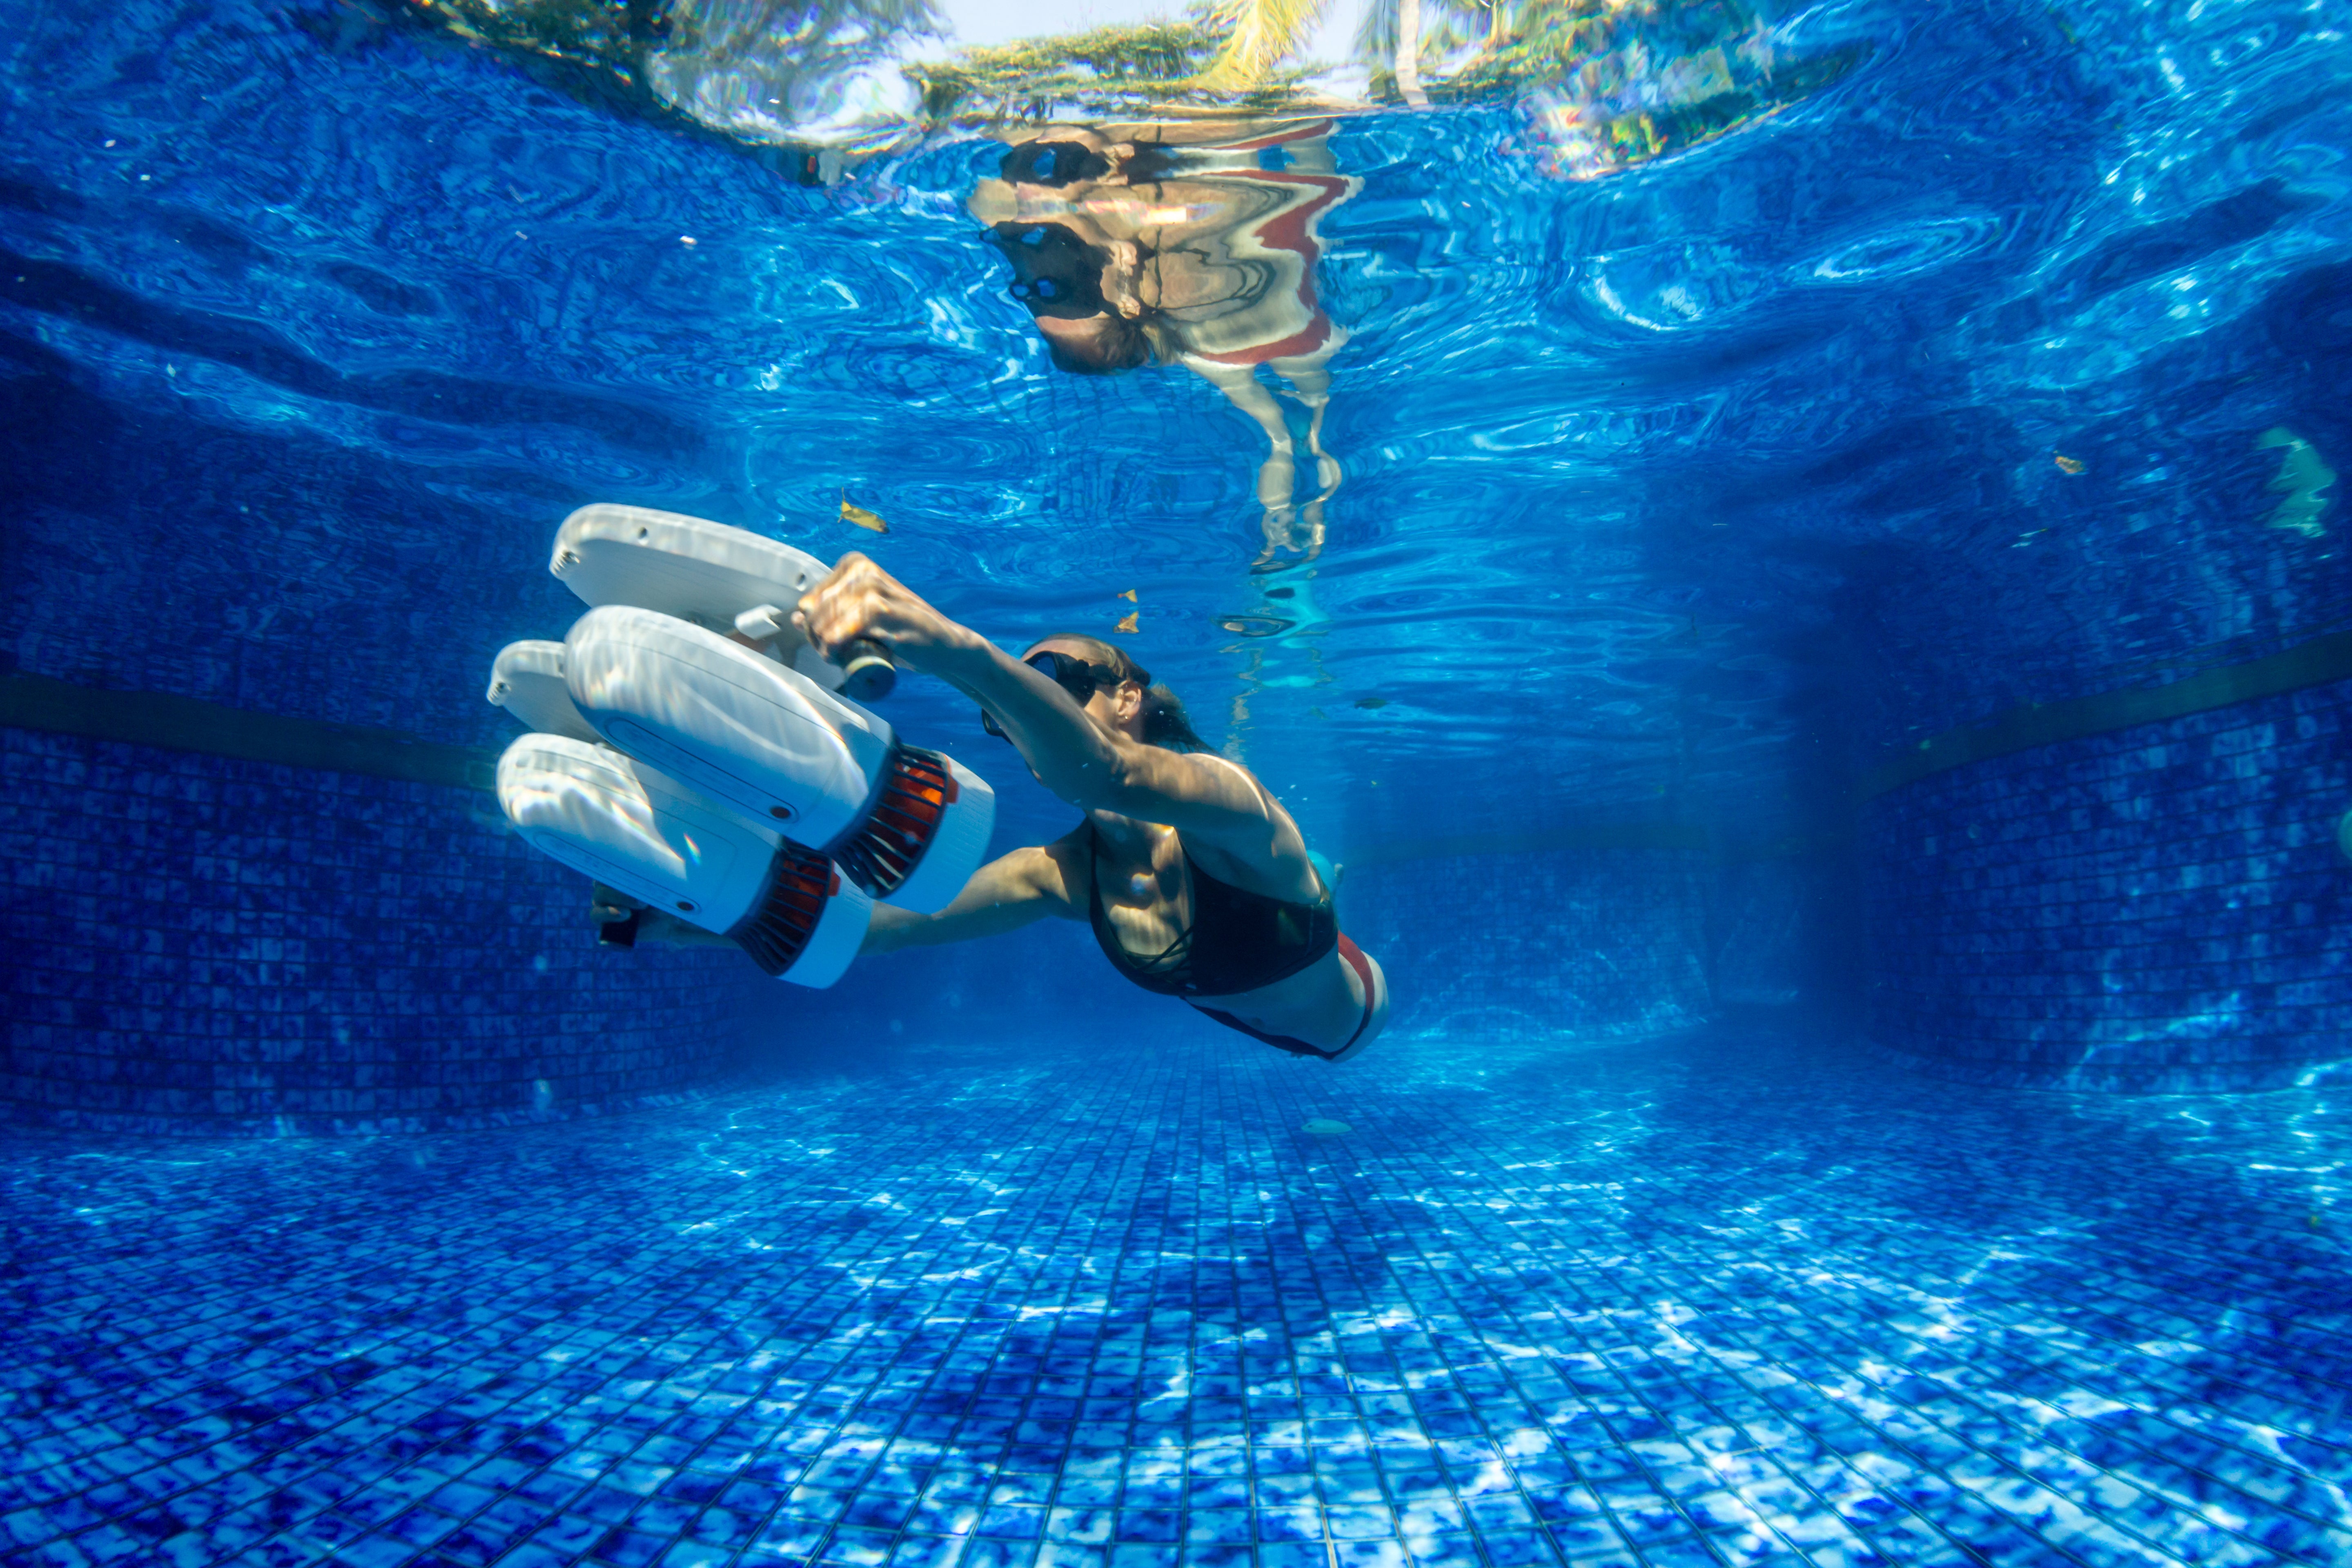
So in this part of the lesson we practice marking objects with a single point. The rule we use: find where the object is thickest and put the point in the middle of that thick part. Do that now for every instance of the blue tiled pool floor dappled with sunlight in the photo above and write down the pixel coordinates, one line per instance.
(1739, 1296)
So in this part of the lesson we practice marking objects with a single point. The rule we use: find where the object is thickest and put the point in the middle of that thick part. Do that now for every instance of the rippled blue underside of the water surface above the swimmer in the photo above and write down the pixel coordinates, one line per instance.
(1631, 467)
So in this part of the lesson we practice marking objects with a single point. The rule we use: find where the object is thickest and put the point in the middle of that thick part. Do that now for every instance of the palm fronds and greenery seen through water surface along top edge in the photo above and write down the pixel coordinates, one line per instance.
(1624, 81)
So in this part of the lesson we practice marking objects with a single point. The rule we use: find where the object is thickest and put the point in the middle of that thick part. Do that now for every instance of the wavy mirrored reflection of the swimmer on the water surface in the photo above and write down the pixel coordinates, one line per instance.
(1191, 246)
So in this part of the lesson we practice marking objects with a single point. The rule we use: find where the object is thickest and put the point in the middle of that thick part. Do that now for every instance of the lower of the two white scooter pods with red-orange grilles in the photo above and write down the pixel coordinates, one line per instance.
(787, 906)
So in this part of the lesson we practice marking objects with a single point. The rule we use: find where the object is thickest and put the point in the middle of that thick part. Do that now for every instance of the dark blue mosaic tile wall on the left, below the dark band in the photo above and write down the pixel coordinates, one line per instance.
(222, 946)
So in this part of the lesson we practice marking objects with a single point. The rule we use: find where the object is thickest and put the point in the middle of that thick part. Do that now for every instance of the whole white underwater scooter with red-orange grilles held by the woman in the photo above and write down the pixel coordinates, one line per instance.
(719, 775)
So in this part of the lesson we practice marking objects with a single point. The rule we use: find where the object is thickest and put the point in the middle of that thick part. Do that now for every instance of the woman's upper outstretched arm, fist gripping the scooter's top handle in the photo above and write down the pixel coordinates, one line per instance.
(1095, 770)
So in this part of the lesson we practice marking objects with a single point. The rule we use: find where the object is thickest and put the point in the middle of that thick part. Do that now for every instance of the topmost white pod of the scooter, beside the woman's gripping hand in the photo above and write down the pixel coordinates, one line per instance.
(695, 570)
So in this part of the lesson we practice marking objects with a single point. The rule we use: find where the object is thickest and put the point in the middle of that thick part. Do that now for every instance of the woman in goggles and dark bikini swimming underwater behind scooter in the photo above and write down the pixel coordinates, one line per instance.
(1191, 873)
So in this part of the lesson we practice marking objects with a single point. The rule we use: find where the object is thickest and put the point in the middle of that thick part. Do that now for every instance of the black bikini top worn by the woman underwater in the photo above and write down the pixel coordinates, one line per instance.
(1236, 944)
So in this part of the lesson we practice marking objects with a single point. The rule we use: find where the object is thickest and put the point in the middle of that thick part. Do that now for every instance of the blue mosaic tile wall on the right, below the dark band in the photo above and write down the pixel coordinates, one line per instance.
(2149, 911)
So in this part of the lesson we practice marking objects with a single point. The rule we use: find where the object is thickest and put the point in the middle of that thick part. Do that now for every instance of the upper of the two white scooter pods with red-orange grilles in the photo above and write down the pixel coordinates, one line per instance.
(902, 822)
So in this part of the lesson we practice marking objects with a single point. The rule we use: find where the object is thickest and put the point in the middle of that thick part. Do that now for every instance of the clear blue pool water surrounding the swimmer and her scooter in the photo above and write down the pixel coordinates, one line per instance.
(1728, 659)
